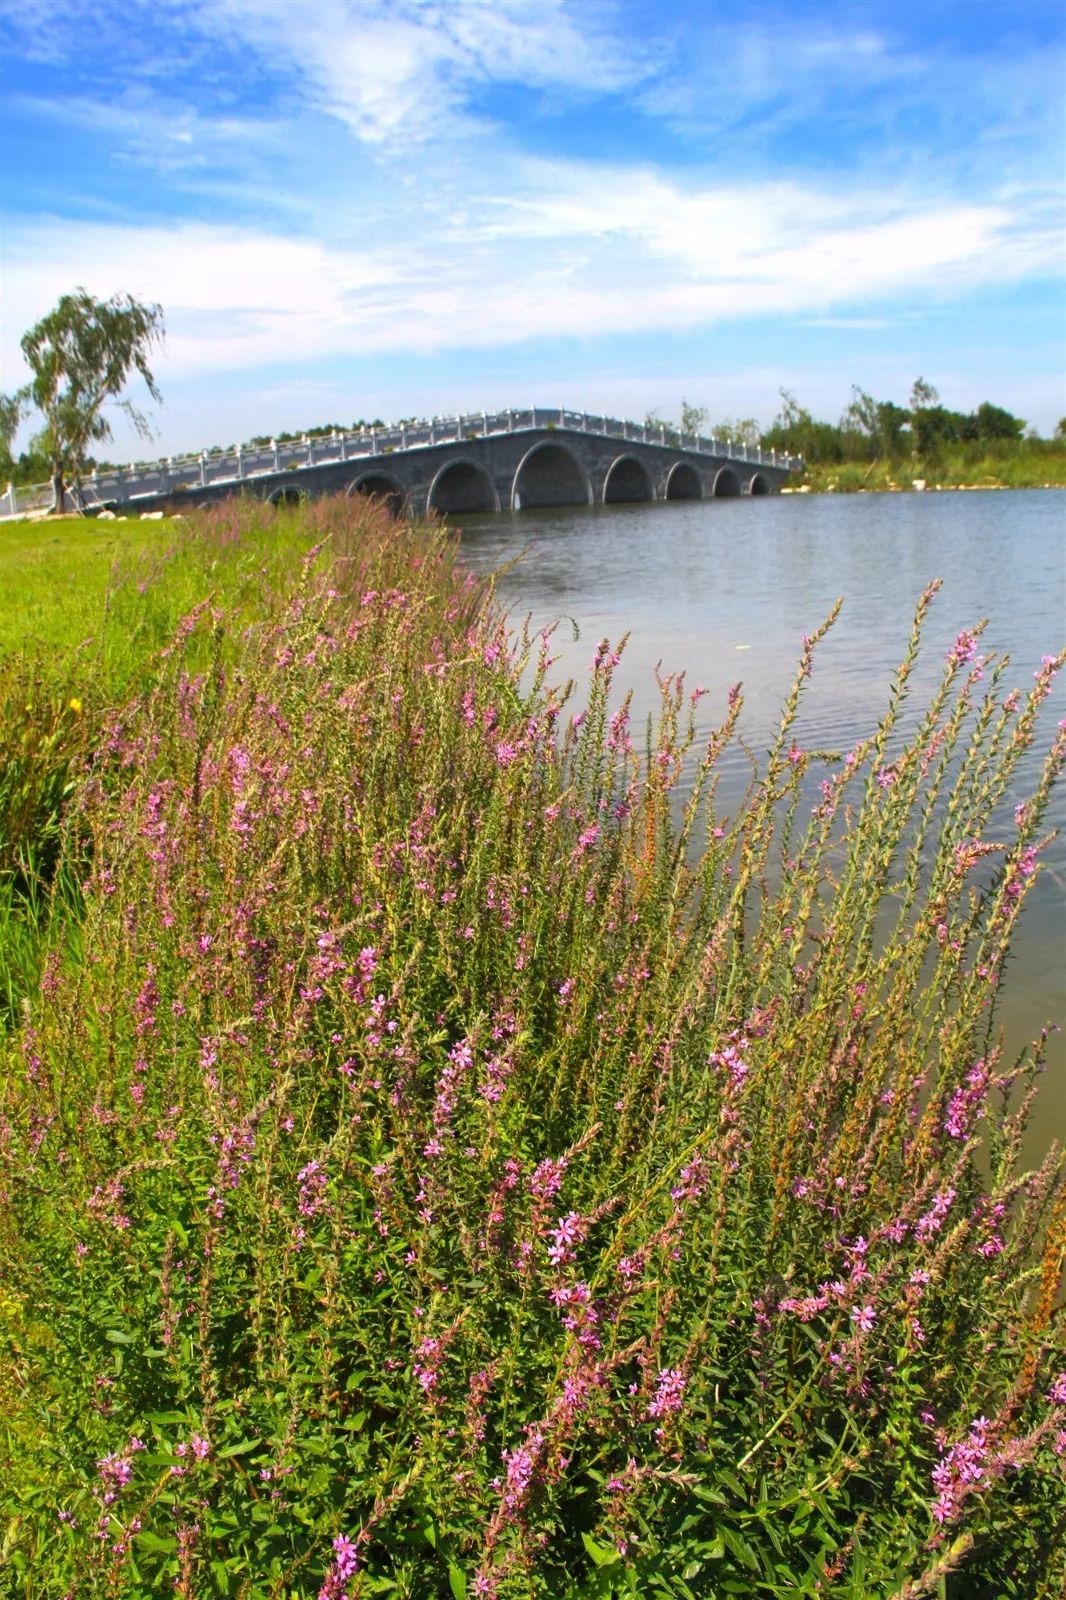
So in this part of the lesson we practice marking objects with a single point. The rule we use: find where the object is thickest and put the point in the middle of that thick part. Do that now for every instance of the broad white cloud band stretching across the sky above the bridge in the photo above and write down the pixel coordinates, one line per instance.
(582, 252)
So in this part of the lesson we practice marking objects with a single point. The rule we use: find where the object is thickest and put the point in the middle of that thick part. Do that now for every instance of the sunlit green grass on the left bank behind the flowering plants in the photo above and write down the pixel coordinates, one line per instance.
(86, 610)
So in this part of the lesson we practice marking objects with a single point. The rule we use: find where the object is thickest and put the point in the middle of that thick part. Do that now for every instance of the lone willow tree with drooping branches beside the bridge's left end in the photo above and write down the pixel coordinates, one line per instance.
(82, 356)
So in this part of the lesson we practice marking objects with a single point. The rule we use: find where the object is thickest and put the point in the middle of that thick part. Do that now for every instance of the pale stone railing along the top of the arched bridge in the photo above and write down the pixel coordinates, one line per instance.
(215, 468)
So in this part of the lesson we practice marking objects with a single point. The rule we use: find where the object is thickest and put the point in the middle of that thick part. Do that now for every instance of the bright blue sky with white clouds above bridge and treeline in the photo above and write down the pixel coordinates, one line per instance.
(414, 207)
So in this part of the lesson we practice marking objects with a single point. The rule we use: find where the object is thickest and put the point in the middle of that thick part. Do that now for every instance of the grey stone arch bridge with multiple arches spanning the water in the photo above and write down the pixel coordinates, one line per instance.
(486, 463)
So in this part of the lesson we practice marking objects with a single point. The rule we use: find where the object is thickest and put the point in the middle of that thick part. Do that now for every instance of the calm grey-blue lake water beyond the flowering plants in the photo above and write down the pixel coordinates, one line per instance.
(726, 590)
